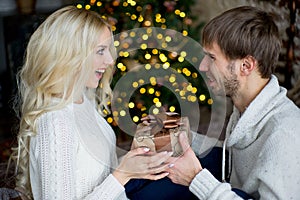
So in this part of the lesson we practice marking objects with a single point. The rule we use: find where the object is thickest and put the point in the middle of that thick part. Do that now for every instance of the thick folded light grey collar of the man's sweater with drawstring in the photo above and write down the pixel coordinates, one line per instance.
(245, 128)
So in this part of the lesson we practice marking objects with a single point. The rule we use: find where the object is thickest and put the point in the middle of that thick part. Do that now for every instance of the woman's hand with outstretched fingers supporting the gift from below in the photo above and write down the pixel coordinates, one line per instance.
(141, 163)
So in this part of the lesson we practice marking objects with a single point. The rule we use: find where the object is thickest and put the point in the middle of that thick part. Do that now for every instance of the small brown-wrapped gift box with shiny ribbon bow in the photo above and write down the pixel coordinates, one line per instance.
(160, 132)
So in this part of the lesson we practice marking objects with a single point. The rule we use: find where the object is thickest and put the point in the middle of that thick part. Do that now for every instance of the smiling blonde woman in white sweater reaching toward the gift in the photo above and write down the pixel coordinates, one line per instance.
(66, 149)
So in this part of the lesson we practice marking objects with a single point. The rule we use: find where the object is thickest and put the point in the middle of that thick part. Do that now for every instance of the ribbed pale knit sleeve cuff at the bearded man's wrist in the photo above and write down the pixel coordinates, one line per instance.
(206, 186)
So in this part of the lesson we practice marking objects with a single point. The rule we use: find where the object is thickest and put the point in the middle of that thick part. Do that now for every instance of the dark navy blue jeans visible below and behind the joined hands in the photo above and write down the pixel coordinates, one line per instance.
(165, 189)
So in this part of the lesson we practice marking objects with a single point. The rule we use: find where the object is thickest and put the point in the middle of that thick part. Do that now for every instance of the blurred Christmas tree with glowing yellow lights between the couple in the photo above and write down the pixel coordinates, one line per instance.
(158, 59)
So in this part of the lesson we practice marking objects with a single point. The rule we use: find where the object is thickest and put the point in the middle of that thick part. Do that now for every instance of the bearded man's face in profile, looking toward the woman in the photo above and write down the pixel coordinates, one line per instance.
(221, 73)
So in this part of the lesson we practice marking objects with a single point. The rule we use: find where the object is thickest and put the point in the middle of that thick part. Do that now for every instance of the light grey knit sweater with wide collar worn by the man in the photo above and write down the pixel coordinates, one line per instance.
(265, 148)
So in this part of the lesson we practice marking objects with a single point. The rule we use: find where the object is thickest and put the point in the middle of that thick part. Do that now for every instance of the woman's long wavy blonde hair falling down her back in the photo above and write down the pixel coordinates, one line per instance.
(57, 64)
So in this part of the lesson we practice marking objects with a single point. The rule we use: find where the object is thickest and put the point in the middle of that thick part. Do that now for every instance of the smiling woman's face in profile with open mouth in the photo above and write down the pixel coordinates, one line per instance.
(102, 58)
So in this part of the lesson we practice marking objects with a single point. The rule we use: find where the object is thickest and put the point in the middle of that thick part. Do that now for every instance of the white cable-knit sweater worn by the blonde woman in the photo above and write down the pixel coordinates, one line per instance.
(72, 155)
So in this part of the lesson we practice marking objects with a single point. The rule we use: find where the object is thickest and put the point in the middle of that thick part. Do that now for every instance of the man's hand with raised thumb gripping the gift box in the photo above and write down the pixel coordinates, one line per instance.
(183, 169)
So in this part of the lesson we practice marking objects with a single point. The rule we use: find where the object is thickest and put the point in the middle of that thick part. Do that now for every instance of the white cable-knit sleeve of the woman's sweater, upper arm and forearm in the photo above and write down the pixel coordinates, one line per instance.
(53, 160)
